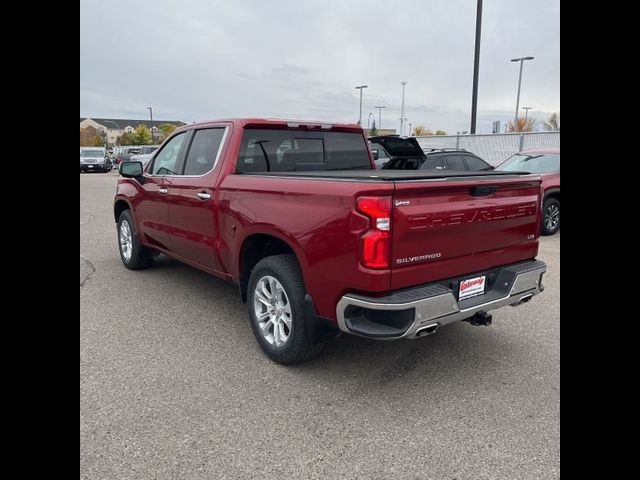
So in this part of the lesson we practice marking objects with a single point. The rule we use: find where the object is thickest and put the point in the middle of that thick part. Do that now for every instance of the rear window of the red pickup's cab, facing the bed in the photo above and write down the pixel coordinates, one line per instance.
(291, 150)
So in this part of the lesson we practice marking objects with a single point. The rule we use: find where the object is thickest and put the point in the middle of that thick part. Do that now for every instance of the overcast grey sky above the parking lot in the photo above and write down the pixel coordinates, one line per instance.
(204, 59)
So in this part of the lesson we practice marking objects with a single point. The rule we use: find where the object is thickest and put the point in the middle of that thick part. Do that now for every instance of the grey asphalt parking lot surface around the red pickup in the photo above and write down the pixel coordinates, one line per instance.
(174, 386)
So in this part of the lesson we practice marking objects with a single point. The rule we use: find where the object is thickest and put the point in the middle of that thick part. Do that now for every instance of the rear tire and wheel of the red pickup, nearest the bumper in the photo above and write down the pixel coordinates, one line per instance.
(275, 299)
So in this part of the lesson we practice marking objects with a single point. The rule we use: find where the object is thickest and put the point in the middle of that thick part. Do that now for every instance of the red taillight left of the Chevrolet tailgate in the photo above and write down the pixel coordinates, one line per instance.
(376, 241)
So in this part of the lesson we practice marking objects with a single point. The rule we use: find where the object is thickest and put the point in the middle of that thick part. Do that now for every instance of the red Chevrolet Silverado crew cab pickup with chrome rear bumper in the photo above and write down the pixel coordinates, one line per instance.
(319, 242)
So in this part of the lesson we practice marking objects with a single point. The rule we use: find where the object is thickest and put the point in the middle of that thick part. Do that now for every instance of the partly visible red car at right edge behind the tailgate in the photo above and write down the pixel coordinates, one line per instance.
(546, 163)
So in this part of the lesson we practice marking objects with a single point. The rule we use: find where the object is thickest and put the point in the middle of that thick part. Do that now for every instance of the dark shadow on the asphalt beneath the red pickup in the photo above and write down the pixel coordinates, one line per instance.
(458, 352)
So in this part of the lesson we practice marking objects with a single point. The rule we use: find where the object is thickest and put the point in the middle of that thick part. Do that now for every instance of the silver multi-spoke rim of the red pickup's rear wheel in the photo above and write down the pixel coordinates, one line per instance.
(272, 311)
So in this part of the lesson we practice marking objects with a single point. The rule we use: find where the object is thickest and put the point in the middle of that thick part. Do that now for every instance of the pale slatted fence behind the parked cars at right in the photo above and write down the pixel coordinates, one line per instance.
(495, 148)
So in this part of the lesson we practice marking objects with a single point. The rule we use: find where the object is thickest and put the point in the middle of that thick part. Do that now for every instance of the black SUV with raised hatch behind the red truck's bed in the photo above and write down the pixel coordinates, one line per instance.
(398, 153)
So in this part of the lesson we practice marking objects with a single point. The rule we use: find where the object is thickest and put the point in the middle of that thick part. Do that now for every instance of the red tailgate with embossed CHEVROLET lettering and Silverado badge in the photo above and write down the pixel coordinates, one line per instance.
(444, 229)
